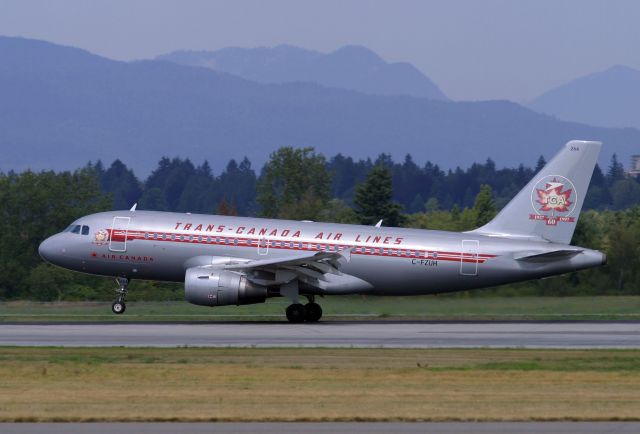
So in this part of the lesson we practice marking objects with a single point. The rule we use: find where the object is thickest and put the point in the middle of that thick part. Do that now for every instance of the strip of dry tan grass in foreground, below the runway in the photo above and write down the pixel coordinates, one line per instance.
(317, 384)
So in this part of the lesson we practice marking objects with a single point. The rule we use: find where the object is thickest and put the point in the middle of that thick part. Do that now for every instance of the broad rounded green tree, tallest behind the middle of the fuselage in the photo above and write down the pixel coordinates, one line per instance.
(294, 184)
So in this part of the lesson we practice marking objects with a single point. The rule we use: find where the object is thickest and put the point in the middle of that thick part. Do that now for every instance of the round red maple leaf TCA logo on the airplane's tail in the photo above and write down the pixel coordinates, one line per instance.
(553, 199)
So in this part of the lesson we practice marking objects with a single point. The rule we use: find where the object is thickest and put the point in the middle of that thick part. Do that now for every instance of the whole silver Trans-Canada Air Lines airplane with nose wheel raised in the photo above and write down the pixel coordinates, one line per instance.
(225, 260)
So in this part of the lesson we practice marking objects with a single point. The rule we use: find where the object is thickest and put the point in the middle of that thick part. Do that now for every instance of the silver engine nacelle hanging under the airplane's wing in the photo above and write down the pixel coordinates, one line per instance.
(207, 287)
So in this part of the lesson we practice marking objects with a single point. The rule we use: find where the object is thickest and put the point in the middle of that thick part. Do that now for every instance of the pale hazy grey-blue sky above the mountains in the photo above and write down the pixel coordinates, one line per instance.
(472, 49)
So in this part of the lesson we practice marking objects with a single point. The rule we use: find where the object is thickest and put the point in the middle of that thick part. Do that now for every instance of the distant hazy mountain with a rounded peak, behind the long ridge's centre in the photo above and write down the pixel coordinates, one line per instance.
(351, 67)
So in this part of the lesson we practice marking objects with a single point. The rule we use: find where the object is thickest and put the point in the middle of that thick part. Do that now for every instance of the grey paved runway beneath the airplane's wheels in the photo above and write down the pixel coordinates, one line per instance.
(330, 334)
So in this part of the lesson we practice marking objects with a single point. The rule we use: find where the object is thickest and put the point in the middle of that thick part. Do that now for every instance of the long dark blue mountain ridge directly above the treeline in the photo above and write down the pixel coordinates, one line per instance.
(61, 107)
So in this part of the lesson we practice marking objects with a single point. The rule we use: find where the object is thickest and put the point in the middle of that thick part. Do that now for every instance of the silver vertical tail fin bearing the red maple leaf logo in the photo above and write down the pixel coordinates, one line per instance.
(549, 206)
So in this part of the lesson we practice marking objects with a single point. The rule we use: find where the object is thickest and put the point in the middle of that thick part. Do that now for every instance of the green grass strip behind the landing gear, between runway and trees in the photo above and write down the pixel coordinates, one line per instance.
(343, 308)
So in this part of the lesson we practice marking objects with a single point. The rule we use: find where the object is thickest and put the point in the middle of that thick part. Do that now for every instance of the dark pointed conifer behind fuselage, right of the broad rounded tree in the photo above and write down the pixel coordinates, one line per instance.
(373, 199)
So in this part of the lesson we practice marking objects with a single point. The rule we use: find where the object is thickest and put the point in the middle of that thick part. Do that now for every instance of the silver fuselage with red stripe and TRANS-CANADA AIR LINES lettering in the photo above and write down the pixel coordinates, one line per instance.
(161, 246)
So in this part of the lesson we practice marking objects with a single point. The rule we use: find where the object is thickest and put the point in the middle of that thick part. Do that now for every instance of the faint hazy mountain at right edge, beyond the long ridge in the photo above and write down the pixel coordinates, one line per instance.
(609, 98)
